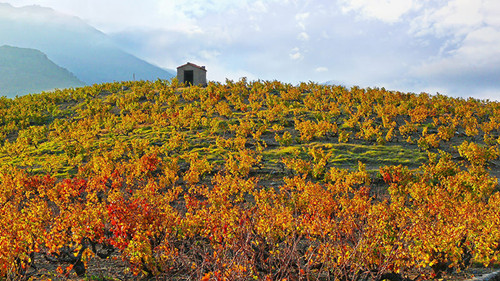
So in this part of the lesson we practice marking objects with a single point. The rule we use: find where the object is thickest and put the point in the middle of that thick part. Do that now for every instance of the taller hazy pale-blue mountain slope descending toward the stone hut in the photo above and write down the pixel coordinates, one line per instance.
(73, 44)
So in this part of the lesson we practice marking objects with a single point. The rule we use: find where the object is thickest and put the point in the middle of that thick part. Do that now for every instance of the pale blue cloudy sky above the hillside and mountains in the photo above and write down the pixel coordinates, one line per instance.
(451, 47)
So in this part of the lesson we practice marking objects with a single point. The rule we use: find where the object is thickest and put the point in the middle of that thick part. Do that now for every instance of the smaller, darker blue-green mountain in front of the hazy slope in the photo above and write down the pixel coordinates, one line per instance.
(24, 71)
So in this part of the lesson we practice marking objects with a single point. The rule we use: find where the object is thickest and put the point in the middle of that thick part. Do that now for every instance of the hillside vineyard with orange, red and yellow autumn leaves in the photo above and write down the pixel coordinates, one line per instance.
(243, 180)
